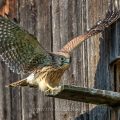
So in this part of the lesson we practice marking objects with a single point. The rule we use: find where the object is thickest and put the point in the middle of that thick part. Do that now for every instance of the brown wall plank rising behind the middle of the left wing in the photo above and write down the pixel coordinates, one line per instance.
(27, 19)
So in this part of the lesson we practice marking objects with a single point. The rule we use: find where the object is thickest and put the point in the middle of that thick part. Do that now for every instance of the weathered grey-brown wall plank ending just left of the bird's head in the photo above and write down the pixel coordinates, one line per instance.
(45, 105)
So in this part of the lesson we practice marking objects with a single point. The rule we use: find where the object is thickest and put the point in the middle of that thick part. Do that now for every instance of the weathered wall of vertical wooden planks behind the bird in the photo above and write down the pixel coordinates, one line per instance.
(55, 22)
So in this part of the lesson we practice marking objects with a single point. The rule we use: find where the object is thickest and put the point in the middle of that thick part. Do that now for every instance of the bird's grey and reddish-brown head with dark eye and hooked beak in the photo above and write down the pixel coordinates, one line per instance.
(61, 59)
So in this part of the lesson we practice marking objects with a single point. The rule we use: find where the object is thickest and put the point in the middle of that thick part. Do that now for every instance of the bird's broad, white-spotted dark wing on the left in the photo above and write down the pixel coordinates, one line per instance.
(19, 49)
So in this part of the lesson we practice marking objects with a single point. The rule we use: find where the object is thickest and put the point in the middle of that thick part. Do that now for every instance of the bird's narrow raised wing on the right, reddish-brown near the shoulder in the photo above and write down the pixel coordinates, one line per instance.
(110, 18)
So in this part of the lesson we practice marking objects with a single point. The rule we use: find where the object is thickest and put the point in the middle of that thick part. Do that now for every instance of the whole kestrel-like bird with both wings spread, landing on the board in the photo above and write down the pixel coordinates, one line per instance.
(23, 54)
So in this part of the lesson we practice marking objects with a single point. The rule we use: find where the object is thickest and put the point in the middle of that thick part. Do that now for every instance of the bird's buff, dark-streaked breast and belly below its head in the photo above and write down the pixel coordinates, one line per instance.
(49, 75)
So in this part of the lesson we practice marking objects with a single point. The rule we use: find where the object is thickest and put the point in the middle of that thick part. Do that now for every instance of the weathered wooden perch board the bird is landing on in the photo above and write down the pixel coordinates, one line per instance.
(88, 95)
